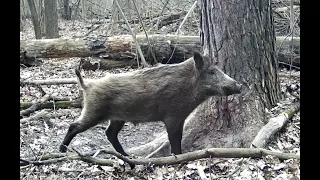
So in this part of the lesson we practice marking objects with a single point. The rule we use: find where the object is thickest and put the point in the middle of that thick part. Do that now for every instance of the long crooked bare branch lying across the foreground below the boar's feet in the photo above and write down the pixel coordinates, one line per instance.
(176, 159)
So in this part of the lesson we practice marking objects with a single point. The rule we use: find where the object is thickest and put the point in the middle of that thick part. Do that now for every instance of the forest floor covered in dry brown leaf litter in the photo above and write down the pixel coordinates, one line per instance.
(45, 135)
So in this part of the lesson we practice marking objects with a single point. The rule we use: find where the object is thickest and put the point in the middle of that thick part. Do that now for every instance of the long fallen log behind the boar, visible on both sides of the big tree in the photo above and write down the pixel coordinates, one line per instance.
(167, 48)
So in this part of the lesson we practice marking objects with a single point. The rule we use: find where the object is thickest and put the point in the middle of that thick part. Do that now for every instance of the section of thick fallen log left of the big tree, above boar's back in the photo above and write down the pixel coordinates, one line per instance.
(118, 48)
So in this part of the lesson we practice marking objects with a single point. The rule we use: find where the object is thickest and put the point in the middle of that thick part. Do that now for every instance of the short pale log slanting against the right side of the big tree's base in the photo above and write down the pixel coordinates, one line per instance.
(273, 126)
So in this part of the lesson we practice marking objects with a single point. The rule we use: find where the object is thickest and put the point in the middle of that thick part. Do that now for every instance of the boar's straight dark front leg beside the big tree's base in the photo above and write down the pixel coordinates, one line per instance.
(175, 135)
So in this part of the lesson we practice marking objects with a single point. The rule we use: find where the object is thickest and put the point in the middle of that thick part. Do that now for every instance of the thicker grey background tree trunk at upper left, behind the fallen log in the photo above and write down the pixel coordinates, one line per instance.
(51, 19)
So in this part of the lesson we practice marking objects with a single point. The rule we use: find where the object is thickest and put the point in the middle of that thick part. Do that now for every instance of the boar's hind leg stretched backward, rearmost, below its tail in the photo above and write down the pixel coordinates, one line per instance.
(83, 123)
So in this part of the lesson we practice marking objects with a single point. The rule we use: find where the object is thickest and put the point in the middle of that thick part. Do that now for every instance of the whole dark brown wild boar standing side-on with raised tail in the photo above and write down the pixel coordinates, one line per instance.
(167, 93)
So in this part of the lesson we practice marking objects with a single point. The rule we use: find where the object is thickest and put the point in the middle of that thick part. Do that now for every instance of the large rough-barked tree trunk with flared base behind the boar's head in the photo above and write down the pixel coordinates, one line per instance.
(240, 39)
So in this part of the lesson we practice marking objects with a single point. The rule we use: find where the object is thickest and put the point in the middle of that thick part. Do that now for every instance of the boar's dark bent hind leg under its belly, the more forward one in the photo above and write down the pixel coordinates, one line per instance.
(112, 134)
